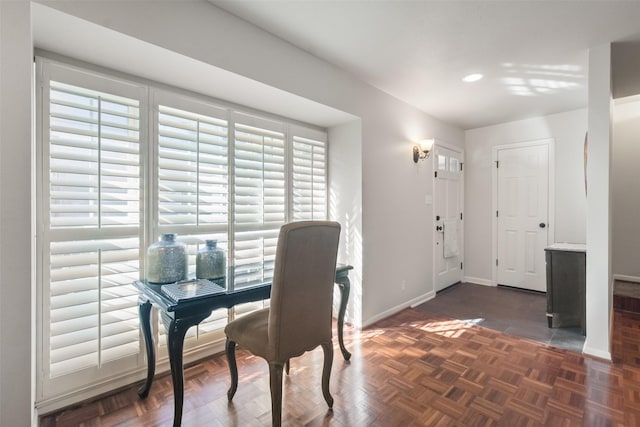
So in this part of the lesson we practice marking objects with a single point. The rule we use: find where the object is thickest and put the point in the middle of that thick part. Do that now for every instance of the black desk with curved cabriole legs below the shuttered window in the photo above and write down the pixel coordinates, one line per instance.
(178, 317)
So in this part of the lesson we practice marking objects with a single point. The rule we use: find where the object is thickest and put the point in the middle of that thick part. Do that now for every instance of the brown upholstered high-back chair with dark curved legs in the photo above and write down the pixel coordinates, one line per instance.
(299, 318)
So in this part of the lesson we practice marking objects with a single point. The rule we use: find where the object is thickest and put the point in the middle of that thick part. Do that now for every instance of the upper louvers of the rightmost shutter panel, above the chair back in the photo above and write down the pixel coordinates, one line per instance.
(309, 174)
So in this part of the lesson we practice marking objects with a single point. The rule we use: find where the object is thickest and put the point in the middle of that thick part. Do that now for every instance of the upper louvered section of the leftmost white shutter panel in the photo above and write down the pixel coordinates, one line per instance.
(94, 158)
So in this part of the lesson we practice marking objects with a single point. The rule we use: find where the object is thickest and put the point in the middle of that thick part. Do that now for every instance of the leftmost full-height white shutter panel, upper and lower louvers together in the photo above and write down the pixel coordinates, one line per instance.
(90, 222)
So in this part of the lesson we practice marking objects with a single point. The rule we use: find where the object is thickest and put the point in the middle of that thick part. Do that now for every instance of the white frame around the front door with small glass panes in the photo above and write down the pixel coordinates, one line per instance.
(438, 143)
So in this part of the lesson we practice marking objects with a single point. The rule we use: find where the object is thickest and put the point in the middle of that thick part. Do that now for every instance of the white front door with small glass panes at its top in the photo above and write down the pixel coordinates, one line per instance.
(448, 212)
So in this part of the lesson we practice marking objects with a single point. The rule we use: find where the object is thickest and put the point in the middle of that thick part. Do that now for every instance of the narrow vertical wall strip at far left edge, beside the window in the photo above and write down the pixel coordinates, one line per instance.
(16, 309)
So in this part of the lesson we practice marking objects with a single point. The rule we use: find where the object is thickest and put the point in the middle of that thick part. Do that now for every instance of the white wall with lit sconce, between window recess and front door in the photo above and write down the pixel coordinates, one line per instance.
(397, 224)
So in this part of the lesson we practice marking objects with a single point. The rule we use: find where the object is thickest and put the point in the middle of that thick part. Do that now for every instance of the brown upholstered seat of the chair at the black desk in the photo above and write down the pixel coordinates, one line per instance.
(250, 331)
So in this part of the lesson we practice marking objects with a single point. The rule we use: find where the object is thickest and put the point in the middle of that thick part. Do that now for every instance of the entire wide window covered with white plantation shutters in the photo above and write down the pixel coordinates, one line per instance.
(118, 164)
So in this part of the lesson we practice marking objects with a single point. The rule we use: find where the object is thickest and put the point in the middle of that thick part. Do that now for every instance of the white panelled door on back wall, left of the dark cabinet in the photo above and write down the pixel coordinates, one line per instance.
(522, 216)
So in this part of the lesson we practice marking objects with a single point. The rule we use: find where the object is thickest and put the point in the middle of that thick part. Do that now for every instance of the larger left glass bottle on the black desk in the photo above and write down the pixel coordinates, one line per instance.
(167, 260)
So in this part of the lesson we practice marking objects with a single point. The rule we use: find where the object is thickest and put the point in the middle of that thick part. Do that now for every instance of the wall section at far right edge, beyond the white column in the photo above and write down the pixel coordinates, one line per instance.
(624, 182)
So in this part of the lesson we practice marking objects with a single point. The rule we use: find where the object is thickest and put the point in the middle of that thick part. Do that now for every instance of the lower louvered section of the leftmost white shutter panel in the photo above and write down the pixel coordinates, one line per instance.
(93, 307)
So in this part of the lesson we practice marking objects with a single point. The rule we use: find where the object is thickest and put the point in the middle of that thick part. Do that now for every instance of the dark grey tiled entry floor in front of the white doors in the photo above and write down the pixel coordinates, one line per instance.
(512, 311)
